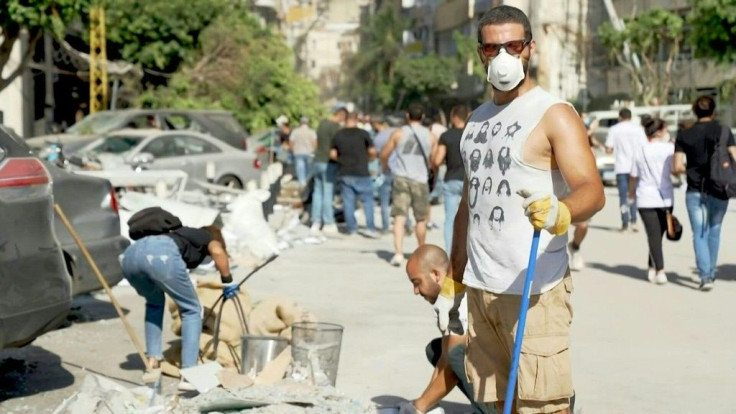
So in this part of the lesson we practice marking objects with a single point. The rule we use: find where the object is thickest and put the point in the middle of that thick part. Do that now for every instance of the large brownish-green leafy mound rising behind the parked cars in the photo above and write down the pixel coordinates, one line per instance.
(242, 67)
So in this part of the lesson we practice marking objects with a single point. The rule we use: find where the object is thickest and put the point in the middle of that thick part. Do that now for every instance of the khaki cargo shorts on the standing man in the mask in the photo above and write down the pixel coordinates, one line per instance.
(545, 378)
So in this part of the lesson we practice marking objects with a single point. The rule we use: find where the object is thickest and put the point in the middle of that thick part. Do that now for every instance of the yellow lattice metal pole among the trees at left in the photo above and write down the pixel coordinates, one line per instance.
(98, 59)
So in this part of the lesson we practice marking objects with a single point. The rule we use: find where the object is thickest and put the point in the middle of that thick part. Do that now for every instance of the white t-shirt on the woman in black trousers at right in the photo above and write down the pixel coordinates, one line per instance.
(652, 164)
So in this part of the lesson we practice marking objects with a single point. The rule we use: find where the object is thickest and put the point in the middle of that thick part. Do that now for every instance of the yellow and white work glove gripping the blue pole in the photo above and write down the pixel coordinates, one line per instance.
(546, 212)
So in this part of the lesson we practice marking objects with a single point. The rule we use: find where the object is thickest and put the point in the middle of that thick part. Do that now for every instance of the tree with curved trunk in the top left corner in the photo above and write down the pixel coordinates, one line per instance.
(33, 17)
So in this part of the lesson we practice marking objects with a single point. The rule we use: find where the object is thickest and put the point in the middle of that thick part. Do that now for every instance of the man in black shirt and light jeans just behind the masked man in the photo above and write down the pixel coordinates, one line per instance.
(449, 152)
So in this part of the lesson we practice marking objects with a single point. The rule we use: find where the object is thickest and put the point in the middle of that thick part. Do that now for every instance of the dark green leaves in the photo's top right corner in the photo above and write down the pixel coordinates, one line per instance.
(713, 29)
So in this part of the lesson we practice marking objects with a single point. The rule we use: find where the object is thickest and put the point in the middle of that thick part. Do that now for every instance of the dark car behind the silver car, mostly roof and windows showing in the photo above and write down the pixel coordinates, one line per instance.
(219, 124)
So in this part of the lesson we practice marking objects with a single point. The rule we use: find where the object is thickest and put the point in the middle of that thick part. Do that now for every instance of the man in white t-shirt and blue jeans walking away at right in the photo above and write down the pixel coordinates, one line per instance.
(624, 141)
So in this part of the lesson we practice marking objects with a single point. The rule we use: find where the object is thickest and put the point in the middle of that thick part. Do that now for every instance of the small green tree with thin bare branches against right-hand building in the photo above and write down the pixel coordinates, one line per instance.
(654, 39)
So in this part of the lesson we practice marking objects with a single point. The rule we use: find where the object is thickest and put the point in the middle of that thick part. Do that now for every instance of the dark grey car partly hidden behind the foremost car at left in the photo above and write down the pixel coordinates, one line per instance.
(91, 206)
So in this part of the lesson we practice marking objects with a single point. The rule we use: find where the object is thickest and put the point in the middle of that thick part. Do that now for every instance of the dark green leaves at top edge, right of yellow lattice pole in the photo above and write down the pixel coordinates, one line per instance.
(159, 34)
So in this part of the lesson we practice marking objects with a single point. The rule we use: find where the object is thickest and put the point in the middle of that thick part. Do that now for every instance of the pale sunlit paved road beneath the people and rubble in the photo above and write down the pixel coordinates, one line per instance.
(637, 347)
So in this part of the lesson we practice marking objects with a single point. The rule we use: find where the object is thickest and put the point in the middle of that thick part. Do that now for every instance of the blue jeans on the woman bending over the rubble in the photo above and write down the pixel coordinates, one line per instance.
(153, 266)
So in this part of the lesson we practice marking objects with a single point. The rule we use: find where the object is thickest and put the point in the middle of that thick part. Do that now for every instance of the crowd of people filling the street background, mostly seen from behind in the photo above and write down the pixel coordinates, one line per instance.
(394, 161)
